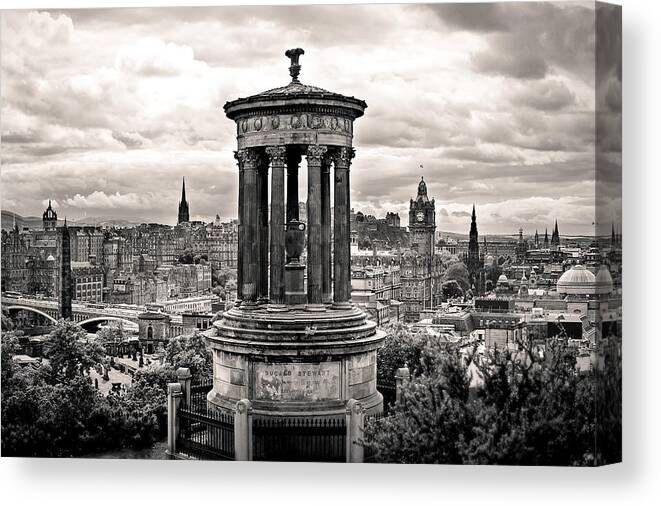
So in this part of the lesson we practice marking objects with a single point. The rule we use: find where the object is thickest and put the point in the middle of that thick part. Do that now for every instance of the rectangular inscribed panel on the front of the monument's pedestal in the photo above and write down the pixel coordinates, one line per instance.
(297, 382)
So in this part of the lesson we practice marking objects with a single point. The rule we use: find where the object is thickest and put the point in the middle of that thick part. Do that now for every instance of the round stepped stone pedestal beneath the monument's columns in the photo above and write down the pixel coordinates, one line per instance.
(296, 362)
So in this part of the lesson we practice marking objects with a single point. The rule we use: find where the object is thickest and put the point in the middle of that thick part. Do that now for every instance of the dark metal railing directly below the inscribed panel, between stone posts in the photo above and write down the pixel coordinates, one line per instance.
(299, 439)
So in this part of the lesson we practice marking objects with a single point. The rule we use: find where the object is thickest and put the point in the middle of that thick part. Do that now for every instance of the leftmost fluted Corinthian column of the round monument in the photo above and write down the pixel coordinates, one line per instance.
(249, 249)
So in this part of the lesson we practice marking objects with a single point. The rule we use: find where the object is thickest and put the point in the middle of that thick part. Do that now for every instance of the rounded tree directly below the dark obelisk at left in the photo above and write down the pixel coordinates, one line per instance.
(70, 352)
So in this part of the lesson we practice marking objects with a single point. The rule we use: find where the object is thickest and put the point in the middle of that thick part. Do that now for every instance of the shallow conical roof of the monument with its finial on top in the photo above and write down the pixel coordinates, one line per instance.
(295, 93)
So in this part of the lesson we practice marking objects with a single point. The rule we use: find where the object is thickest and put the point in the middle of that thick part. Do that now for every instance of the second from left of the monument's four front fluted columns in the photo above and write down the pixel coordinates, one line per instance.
(277, 156)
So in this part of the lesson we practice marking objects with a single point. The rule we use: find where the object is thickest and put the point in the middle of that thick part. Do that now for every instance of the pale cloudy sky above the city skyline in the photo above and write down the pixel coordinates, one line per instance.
(105, 110)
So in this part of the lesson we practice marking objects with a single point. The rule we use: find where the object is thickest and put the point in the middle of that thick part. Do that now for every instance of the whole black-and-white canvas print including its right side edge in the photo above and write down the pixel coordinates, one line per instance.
(336, 233)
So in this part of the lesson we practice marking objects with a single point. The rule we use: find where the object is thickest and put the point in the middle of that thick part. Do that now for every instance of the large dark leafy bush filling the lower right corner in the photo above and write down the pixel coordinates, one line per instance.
(525, 410)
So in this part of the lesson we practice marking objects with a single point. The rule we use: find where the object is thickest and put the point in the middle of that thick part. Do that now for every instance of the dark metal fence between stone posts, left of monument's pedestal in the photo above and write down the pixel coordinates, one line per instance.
(204, 433)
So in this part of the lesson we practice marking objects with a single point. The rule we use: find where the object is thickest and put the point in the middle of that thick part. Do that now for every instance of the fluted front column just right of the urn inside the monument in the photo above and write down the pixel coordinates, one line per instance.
(315, 155)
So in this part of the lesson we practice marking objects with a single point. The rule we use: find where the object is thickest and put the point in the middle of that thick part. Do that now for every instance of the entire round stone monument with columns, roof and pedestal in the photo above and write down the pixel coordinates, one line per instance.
(294, 345)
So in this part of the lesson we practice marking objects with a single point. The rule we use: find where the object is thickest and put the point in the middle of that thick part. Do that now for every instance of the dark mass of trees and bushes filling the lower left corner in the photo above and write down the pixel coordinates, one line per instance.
(56, 411)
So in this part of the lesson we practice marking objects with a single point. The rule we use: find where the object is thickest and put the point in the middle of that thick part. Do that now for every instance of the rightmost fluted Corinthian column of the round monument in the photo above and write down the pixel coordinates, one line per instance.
(342, 229)
